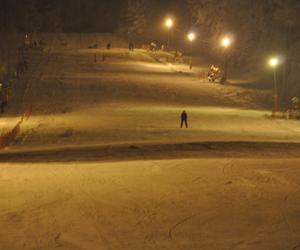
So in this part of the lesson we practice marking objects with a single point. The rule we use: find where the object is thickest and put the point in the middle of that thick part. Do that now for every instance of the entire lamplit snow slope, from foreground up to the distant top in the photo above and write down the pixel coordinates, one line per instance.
(103, 164)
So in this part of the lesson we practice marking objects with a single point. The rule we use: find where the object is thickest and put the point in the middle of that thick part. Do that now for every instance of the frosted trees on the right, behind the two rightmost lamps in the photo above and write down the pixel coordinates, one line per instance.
(261, 28)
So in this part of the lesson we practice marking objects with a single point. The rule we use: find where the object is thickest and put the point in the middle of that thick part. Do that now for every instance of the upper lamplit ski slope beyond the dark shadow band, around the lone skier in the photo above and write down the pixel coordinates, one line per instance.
(98, 97)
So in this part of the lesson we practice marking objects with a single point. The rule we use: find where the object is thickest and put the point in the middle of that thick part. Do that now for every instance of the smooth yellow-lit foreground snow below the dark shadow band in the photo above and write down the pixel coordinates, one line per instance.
(167, 204)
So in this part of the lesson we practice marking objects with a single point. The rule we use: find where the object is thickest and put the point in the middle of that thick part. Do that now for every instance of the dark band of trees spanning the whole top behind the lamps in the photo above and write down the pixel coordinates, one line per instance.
(257, 24)
